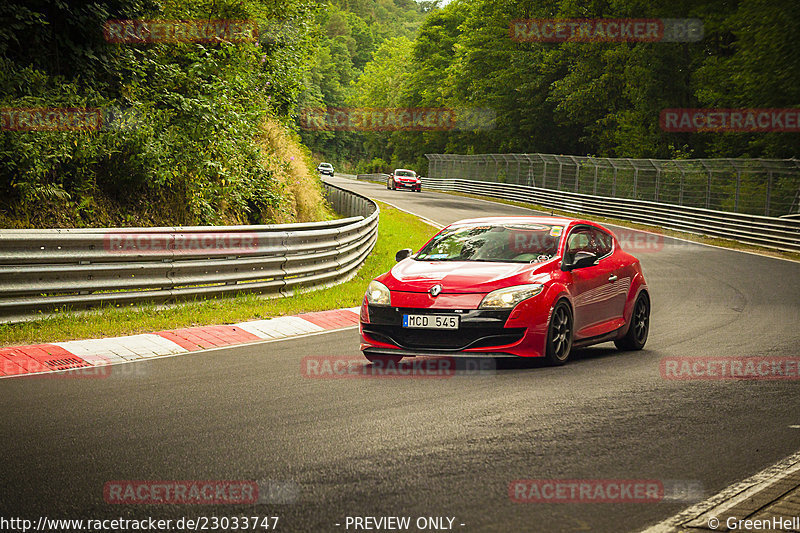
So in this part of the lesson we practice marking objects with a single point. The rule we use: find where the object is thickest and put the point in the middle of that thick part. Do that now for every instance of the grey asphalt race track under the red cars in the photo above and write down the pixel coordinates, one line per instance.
(427, 447)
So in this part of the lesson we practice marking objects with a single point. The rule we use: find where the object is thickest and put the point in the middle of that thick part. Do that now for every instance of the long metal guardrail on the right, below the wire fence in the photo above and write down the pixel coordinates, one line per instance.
(777, 233)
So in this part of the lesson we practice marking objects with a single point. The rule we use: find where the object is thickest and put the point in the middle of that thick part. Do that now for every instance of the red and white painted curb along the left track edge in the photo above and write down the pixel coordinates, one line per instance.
(61, 356)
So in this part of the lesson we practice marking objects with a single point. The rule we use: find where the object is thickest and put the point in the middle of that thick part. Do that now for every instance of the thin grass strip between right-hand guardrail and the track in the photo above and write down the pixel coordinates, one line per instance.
(694, 237)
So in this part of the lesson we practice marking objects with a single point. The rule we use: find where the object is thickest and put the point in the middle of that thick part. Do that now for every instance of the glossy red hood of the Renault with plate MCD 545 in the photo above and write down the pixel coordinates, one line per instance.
(410, 275)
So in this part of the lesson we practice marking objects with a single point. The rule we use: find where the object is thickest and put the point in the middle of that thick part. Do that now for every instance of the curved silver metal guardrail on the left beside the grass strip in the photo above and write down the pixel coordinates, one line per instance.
(41, 270)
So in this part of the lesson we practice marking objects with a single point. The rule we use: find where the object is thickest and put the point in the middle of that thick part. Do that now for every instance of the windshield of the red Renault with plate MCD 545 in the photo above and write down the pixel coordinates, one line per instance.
(507, 243)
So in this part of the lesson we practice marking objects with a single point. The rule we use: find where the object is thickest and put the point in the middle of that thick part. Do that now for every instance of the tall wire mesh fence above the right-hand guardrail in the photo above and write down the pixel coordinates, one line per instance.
(769, 187)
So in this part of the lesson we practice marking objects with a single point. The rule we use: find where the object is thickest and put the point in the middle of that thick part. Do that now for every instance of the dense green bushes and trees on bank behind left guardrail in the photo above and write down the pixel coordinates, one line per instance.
(188, 135)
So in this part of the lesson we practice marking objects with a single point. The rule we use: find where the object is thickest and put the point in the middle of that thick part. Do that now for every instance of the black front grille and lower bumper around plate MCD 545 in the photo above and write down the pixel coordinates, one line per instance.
(478, 329)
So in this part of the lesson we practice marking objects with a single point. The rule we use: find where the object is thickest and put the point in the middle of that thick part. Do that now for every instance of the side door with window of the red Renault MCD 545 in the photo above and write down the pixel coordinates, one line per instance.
(593, 290)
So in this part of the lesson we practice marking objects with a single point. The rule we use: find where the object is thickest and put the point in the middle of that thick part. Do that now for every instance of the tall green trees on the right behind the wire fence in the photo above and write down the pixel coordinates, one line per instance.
(580, 98)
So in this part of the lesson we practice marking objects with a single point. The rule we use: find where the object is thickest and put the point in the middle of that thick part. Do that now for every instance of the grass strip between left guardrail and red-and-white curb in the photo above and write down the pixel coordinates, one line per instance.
(396, 230)
